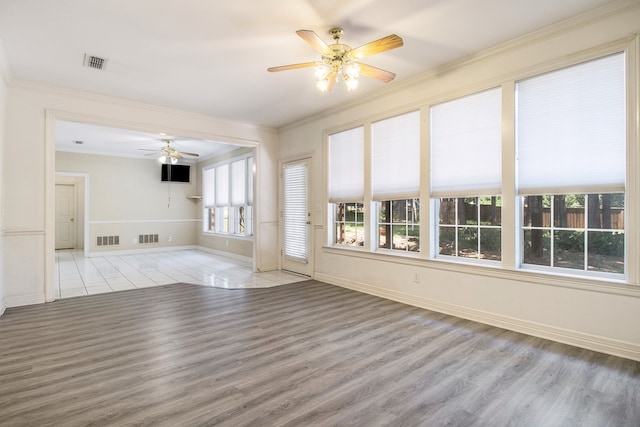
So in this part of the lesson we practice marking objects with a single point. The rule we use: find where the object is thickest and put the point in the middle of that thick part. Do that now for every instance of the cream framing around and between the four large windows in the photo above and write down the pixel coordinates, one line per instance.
(511, 240)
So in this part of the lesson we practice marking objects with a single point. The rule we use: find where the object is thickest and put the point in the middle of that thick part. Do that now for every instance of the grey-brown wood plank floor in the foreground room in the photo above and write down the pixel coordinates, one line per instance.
(300, 354)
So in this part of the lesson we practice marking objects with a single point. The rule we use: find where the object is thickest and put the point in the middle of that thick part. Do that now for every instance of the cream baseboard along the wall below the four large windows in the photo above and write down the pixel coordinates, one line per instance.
(565, 336)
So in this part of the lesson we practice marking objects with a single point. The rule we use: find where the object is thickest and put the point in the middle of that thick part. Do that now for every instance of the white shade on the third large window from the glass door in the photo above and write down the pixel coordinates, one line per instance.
(466, 146)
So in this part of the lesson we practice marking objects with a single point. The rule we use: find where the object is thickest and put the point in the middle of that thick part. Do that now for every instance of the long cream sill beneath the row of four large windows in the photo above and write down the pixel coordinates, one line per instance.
(495, 269)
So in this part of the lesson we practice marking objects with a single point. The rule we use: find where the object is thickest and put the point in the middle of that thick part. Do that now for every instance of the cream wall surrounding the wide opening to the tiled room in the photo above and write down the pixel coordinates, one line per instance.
(29, 173)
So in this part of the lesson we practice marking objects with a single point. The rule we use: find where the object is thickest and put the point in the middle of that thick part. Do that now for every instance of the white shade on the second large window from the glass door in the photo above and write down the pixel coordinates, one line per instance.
(395, 157)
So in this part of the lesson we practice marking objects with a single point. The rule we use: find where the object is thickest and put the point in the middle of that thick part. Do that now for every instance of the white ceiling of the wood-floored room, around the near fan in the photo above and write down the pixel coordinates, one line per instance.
(211, 56)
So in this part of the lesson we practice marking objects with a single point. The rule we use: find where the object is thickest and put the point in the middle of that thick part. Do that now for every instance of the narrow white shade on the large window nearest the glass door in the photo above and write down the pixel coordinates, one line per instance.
(346, 166)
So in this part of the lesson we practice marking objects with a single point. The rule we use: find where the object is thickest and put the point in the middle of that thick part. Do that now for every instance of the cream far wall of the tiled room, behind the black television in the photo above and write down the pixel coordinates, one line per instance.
(127, 198)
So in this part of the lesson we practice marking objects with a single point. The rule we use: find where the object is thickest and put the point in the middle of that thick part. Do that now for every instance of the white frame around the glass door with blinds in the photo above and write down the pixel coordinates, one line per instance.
(308, 158)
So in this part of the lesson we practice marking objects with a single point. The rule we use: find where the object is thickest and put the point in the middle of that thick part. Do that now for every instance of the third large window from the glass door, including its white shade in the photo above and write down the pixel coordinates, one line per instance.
(466, 176)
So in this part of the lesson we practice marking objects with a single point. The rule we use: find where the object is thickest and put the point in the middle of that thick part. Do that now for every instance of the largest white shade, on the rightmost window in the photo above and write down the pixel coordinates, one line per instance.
(570, 129)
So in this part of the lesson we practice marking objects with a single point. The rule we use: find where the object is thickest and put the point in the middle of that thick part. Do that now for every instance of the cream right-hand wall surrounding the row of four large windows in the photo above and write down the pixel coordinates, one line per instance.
(594, 314)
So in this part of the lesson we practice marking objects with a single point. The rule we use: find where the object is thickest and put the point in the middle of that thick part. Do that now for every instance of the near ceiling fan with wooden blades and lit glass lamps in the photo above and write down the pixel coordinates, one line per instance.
(341, 61)
